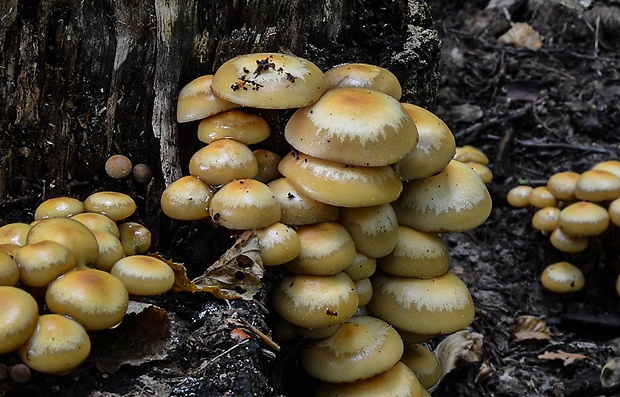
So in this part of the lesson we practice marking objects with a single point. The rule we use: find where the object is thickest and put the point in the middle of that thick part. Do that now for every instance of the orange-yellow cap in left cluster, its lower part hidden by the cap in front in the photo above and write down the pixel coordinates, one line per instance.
(76, 237)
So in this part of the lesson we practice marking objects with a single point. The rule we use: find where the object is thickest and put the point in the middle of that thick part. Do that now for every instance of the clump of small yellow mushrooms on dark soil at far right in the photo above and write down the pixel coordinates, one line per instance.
(573, 210)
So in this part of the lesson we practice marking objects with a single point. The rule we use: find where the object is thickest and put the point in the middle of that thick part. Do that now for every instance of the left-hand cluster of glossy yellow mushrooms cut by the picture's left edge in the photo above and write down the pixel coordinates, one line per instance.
(72, 271)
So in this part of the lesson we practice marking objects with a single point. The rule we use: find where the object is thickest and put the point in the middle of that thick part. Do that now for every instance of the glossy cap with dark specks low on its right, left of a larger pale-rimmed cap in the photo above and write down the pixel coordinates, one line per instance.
(315, 301)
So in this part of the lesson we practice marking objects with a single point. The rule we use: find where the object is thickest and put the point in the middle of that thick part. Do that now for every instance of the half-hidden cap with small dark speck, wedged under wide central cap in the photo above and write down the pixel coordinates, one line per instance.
(299, 209)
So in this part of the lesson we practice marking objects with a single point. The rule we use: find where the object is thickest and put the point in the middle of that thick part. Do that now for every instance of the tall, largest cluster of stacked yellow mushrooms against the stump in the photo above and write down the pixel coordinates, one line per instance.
(353, 211)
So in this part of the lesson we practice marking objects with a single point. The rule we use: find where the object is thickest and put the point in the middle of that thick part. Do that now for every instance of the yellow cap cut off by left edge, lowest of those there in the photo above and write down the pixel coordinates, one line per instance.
(19, 313)
